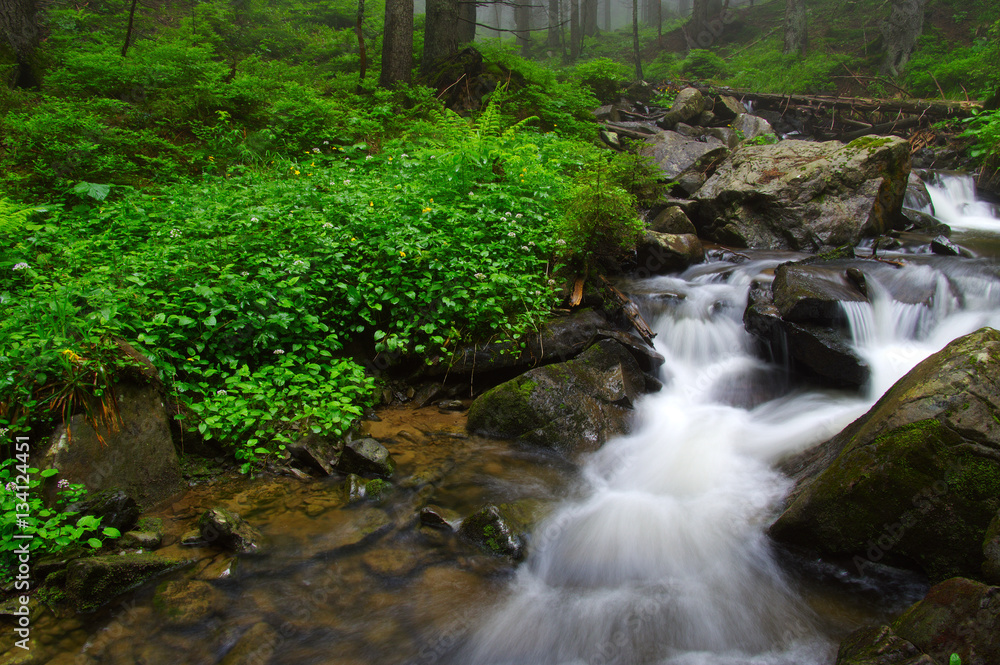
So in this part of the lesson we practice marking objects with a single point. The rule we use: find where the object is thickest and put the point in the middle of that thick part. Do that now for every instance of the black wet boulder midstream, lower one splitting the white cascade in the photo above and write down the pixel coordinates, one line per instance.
(813, 349)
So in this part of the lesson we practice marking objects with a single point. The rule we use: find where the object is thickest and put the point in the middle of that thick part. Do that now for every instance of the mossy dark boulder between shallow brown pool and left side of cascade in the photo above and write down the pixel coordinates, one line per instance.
(573, 406)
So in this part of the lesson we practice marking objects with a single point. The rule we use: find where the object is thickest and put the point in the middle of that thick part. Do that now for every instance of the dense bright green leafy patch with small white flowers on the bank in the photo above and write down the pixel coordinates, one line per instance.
(244, 288)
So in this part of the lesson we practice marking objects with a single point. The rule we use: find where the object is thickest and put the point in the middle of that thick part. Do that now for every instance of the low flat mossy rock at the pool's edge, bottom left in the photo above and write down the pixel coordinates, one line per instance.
(95, 581)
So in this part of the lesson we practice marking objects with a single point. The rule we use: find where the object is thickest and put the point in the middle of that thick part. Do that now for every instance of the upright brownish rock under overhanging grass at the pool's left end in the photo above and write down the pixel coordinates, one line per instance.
(138, 456)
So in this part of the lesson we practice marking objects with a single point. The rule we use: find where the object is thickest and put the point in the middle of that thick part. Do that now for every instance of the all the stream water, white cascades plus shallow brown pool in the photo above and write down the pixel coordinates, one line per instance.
(651, 551)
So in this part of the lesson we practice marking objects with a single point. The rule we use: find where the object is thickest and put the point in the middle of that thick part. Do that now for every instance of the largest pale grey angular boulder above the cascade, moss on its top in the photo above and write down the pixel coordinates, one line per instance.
(804, 196)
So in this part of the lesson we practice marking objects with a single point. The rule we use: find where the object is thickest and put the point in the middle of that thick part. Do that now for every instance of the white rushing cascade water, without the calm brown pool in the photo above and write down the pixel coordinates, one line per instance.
(664, 561)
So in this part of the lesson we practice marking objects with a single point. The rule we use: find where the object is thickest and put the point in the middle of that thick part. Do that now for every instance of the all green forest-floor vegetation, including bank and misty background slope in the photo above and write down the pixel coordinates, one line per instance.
(226, 187)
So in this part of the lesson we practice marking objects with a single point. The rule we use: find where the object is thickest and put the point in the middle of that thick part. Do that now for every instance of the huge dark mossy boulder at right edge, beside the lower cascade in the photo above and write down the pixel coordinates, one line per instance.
(915, 482)
